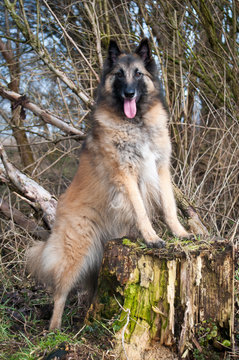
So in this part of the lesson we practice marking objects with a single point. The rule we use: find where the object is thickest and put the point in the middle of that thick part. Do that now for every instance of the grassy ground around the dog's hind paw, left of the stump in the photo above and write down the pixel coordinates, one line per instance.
(25, 311)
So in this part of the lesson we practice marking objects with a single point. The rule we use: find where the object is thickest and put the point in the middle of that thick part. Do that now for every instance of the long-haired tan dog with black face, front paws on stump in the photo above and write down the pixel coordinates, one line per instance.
(123, 177)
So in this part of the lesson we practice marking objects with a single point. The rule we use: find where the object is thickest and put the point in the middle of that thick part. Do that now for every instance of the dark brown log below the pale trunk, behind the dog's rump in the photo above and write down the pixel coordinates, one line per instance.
(22, 220)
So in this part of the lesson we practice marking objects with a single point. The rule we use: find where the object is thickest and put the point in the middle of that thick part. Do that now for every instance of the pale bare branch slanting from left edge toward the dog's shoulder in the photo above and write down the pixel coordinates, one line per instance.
(43, 114)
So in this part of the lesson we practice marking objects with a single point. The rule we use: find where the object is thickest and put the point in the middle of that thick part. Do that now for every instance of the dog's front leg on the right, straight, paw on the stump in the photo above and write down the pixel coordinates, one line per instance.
(168, 203)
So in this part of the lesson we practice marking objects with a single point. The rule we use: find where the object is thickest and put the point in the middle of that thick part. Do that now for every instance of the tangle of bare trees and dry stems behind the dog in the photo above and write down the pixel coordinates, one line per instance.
(52, 52)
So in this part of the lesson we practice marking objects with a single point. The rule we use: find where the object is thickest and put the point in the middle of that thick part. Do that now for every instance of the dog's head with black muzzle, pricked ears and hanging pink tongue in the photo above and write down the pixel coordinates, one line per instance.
(129, 78)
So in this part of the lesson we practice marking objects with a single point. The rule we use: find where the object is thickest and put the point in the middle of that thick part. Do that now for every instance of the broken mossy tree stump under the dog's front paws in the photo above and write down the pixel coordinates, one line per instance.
(167, 296)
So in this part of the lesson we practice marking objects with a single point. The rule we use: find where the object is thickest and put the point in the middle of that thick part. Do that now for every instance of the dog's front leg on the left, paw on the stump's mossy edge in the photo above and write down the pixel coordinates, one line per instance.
(143, 222)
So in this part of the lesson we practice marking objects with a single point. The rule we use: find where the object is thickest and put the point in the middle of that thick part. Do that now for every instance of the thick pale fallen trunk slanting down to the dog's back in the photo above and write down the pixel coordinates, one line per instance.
(39, 197)
